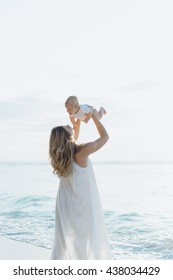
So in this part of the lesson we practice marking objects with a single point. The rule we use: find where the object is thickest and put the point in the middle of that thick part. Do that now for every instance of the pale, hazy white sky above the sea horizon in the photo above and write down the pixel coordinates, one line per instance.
(113, 53)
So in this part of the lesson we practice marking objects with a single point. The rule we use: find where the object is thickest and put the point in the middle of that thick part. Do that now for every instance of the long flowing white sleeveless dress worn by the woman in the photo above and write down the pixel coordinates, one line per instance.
(80, 232)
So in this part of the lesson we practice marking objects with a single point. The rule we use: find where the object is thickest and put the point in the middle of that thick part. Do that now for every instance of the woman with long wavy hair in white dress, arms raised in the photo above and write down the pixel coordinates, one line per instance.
(80, 232)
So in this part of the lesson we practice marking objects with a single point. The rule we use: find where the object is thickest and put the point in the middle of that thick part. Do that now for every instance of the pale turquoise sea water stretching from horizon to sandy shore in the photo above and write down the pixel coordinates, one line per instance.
(137, 200)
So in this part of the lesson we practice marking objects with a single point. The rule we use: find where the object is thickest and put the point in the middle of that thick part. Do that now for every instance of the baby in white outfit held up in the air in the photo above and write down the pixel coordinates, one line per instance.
(82, 112)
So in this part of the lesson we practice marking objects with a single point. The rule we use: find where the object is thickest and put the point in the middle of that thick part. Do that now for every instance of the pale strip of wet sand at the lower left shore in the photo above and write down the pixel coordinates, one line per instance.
(17, 250)
